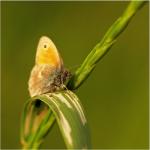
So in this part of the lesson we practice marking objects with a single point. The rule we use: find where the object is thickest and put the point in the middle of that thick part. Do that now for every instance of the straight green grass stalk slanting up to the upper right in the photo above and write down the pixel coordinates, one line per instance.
(102, 48)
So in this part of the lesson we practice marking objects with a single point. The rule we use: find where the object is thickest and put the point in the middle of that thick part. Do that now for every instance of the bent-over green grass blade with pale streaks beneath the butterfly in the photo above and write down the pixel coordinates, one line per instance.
(40, 113)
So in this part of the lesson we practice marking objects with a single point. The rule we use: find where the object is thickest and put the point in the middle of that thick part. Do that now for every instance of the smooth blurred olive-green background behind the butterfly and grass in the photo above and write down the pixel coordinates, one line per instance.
(115, 96)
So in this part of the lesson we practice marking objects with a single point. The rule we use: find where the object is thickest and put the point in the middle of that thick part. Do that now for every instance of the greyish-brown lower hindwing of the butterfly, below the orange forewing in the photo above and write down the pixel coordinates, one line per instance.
(42, 79)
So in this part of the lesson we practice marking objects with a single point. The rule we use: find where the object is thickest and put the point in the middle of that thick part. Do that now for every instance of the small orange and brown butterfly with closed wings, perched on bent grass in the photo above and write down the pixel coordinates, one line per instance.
(48, 73)
